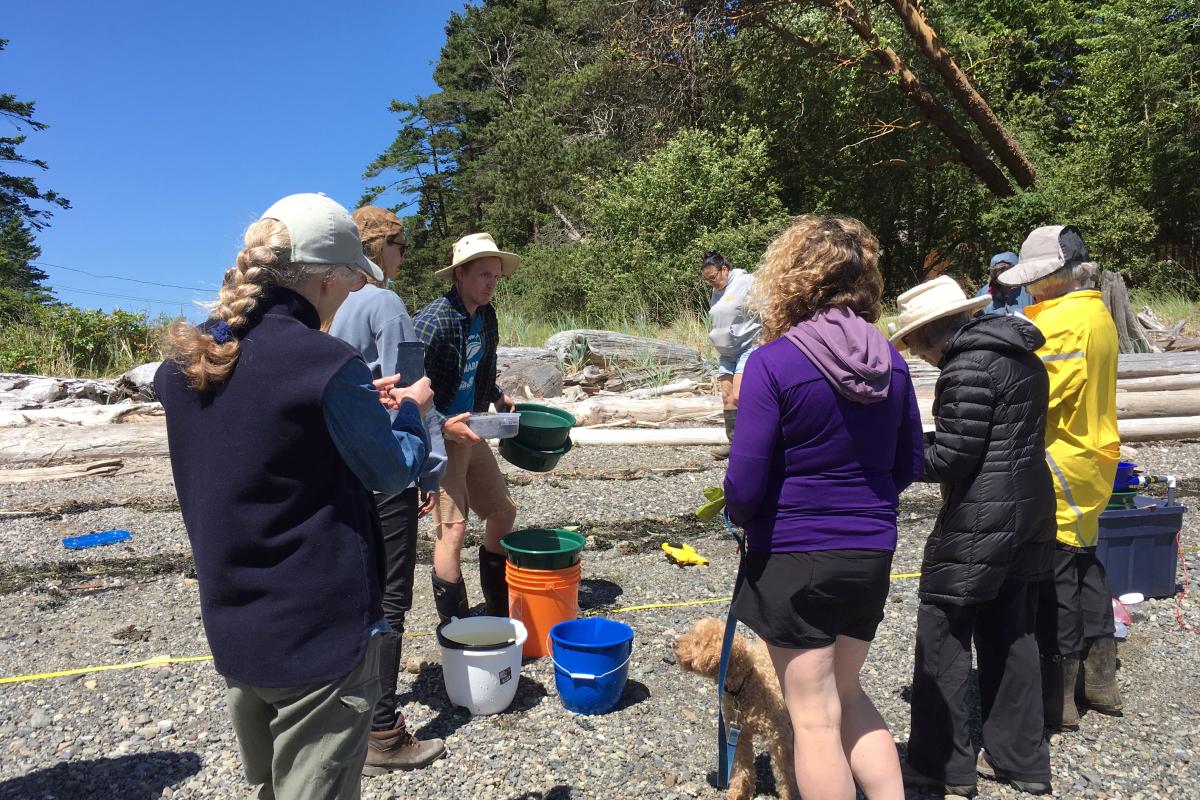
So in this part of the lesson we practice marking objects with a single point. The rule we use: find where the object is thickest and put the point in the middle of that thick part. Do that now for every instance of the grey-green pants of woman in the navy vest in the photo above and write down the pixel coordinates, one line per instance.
(308, 743)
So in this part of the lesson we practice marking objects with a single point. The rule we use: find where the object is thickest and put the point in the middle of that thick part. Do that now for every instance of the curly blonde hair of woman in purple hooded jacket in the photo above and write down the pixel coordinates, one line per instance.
(818, 263)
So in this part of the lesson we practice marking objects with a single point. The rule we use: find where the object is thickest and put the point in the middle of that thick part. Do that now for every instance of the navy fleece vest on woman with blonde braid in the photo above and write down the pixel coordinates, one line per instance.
(287, 542)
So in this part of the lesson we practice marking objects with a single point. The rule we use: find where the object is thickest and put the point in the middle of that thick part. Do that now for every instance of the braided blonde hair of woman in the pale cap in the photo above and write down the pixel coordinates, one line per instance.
(263, 262)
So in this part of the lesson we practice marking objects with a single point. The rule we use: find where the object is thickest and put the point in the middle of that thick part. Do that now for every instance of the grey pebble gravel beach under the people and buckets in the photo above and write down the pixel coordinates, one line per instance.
(163, 731)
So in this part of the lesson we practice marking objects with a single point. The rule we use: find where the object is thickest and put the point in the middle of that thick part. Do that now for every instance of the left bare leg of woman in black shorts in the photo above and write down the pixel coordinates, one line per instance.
(811, 693)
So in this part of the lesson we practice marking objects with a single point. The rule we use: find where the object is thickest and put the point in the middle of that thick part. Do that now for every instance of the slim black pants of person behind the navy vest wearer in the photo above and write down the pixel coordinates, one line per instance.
(398, 515)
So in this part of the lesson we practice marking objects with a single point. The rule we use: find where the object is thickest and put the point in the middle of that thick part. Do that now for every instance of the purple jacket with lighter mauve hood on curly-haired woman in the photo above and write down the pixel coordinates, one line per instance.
(829, 435)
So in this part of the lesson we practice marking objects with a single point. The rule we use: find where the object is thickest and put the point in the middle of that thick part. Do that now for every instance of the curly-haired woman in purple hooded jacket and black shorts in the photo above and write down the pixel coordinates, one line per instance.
(829, 437)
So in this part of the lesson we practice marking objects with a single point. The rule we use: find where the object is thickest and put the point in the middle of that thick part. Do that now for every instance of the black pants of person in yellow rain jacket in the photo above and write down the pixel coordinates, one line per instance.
(1075, 606)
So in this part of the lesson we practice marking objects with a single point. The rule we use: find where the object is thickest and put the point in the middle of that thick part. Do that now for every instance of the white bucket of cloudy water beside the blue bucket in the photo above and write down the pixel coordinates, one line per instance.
(482, 661)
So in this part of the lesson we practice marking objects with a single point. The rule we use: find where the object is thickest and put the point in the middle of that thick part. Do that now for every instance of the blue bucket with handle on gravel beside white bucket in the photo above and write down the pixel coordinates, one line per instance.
(591, 663)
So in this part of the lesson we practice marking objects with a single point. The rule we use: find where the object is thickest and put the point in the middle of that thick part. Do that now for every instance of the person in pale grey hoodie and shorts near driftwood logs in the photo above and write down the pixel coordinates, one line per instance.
(734, 334)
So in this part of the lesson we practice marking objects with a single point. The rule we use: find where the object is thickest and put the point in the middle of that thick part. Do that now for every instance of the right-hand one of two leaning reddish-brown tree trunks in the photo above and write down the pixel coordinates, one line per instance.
(976, 107)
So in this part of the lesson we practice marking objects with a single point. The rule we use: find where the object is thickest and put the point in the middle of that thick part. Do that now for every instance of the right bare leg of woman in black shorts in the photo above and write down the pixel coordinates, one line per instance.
(865, 735)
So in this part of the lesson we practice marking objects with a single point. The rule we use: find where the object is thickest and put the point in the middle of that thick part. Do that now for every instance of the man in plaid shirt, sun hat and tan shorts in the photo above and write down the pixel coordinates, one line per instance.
(461, 336)
